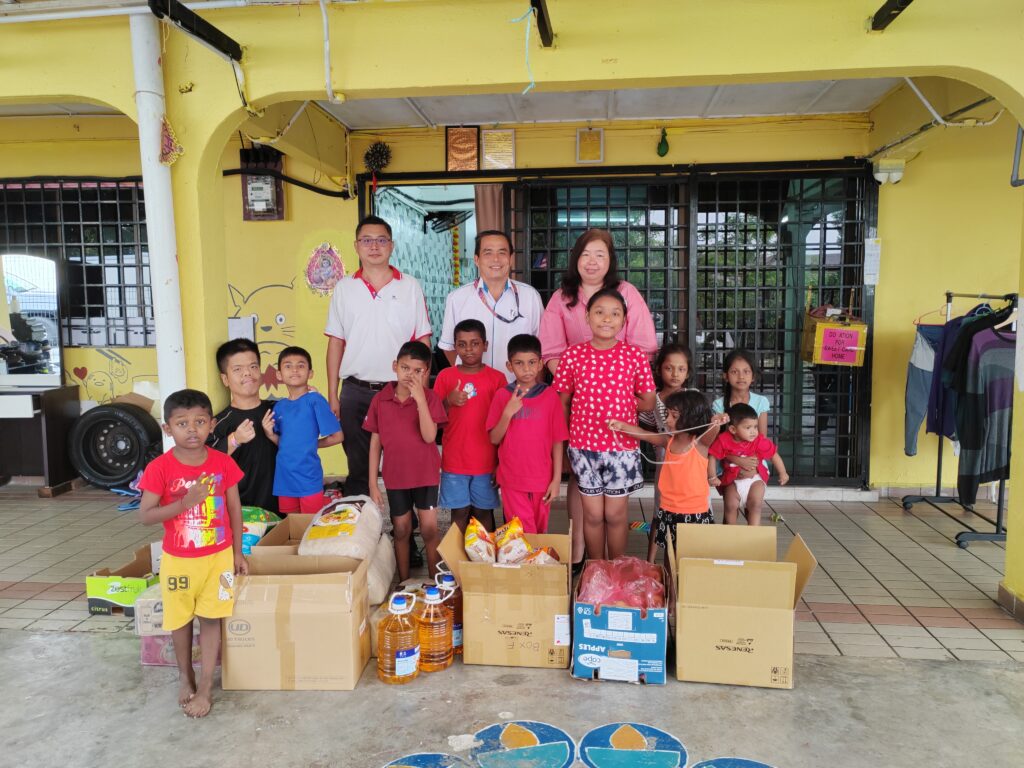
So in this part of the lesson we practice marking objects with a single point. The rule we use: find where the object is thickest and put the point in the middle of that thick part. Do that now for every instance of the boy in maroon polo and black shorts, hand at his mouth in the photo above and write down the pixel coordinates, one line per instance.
(403, 420)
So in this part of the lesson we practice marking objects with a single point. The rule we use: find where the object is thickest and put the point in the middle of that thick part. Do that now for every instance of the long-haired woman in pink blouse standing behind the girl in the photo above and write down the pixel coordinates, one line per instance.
(592, 267)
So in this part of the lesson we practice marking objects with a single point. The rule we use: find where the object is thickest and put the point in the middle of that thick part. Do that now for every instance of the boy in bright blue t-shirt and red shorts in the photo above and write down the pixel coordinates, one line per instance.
(304, 424)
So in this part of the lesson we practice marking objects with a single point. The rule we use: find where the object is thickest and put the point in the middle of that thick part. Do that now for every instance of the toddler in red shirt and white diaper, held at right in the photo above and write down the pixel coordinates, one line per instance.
(744, 439)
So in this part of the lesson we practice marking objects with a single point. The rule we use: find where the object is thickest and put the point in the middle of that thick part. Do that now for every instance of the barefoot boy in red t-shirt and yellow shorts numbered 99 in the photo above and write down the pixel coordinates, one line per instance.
(194, 492)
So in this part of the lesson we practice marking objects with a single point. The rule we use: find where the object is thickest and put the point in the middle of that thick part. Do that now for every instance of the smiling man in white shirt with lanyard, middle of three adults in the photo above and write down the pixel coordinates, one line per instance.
(506, 308)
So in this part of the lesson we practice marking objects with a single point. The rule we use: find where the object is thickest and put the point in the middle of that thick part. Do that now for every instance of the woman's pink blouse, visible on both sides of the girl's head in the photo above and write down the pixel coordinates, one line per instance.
(562, 327)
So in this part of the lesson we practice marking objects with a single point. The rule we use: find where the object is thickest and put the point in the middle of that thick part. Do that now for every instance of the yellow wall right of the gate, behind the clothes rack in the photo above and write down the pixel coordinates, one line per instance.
(953, 224)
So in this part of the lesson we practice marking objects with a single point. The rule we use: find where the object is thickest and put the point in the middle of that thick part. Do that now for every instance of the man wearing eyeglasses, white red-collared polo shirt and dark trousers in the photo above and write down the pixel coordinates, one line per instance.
(372, 315)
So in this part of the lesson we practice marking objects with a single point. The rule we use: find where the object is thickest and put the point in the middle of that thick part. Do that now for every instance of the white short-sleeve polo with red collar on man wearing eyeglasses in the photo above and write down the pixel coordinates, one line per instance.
(374, 325)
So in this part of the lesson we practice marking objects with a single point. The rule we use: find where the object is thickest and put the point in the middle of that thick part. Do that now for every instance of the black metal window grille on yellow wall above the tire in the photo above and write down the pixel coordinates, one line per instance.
(96, 232)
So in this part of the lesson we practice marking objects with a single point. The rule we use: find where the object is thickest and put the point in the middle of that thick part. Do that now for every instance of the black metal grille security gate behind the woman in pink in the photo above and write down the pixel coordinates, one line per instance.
(761, 246)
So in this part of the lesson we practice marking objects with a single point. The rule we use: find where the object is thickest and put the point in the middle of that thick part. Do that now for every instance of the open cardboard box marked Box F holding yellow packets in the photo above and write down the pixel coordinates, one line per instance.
(515, 616)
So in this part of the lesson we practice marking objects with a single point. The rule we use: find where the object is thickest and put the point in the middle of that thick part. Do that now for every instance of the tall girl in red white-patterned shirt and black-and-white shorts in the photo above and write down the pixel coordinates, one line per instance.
(599, 380)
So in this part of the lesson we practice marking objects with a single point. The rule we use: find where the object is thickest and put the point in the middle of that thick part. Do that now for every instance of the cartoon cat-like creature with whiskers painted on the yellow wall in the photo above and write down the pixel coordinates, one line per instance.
(274, 307)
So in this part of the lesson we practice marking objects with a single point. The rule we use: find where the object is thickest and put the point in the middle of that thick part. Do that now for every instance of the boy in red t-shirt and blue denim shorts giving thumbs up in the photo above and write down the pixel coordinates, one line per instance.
(468, 457)
